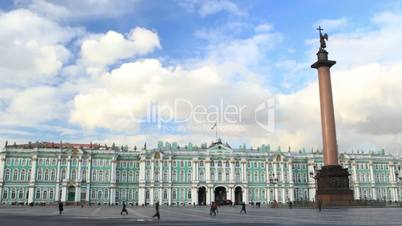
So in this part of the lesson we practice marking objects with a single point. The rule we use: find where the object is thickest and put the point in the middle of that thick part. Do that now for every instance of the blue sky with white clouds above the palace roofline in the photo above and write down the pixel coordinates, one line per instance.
(136, 71)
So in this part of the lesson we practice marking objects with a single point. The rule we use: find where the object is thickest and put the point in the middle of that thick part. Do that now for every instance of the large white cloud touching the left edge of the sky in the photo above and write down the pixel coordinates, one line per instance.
(28, 56)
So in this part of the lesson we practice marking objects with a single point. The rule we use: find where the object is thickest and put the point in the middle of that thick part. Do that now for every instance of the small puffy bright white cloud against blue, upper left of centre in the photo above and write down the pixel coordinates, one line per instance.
(102, 50)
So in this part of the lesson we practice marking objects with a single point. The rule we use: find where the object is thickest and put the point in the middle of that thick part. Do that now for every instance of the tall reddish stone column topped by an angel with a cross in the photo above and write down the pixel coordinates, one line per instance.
(332, 180)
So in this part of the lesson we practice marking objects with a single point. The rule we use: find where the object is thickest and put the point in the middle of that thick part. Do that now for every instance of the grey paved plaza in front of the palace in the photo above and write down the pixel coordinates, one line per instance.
(198, 216)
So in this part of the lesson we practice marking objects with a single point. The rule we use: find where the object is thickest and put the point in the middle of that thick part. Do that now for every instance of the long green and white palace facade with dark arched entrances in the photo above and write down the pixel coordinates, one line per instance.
(170, 174)
